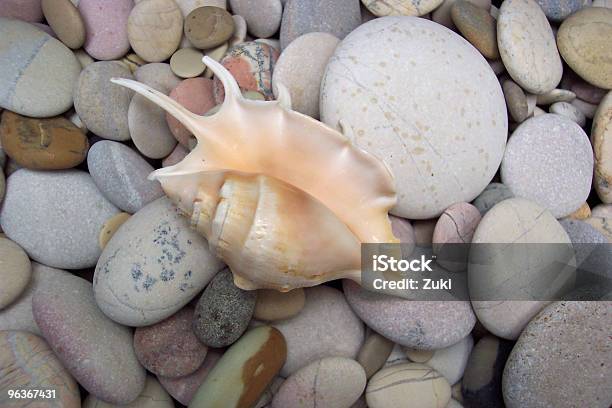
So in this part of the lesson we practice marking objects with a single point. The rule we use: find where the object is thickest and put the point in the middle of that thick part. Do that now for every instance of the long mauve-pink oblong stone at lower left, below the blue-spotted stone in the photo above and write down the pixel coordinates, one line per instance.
(111, 370)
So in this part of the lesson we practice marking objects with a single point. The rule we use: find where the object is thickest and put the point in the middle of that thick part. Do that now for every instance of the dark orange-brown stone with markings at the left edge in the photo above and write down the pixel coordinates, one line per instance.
(42, 144)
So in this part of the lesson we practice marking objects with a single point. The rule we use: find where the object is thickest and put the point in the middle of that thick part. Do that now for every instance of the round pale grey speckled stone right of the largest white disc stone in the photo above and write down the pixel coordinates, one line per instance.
(549, 161)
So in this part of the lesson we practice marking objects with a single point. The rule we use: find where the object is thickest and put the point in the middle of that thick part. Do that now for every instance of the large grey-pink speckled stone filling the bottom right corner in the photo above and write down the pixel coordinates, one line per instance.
(536, 375)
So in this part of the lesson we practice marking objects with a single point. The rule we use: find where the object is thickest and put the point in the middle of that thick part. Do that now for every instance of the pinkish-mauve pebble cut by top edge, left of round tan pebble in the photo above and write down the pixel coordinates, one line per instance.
(106, 27)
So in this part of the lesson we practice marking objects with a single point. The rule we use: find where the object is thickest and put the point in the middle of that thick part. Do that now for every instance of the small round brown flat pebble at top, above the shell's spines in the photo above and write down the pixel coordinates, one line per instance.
(208, 27)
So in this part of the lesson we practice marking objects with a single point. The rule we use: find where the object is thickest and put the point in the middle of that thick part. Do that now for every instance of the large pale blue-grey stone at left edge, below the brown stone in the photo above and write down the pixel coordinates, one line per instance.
(55, 216)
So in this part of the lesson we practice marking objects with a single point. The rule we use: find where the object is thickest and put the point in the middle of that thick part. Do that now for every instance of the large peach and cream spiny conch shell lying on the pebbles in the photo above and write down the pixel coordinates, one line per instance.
(283, 199)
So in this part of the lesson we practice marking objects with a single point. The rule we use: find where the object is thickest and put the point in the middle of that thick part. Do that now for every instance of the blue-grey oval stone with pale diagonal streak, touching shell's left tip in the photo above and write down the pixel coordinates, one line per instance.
(121, 175)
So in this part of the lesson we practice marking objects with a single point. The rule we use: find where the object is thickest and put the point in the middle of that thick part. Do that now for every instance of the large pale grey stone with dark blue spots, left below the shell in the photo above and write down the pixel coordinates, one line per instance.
(152, 267)
